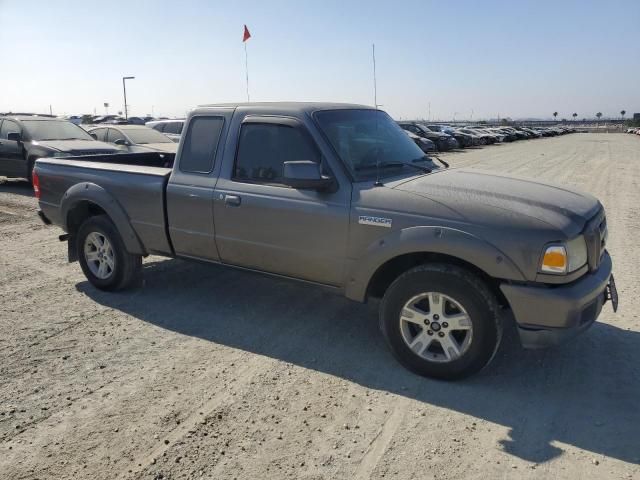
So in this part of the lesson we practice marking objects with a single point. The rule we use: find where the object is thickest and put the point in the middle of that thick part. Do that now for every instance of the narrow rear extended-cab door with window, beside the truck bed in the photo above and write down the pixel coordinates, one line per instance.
(190, 187)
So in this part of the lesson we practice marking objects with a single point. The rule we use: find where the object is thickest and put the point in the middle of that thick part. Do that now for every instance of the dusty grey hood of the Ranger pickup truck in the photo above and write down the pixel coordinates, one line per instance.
(488, 198)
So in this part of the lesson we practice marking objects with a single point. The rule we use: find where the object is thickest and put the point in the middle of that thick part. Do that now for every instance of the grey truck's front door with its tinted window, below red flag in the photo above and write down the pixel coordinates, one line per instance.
(265, 225)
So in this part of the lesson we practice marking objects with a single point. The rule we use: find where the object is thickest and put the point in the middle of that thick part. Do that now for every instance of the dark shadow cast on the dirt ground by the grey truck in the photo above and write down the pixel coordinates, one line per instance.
(583, 394)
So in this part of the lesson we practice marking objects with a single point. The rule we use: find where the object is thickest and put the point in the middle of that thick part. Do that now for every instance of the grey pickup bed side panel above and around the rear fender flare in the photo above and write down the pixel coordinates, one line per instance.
(138, 186)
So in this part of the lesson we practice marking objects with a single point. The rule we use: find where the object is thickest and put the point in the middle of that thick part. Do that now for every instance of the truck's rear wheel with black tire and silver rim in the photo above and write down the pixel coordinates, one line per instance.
(103, 256)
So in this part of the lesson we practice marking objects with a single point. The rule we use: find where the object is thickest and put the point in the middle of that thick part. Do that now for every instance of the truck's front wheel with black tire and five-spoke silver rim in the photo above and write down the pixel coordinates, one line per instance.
(441, 321)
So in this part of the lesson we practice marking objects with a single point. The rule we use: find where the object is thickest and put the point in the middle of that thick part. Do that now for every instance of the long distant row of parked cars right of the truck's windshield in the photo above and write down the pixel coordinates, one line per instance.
(432, 138)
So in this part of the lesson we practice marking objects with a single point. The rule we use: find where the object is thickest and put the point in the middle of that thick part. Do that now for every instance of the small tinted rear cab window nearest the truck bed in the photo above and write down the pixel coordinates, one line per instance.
(200, 144)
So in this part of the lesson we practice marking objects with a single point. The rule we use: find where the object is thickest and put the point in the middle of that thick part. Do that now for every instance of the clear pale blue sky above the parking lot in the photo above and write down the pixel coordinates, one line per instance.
(508, 58)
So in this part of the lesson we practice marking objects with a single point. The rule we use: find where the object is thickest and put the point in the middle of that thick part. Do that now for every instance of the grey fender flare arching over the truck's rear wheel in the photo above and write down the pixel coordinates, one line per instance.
(90, 192)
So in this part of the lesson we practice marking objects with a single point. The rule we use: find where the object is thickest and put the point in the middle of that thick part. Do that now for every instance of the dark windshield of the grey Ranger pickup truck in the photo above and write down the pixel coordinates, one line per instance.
(366, 138)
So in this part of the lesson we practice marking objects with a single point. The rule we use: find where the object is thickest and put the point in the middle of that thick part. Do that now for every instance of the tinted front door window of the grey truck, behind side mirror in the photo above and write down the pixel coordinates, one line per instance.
(263, 148)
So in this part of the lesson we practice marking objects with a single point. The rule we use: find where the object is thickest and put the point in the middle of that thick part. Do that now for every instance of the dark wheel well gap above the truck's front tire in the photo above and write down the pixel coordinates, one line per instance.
(392, 269)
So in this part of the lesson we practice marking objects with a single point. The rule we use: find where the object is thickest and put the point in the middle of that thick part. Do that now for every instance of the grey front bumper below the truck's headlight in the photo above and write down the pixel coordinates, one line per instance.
(548, 315)
